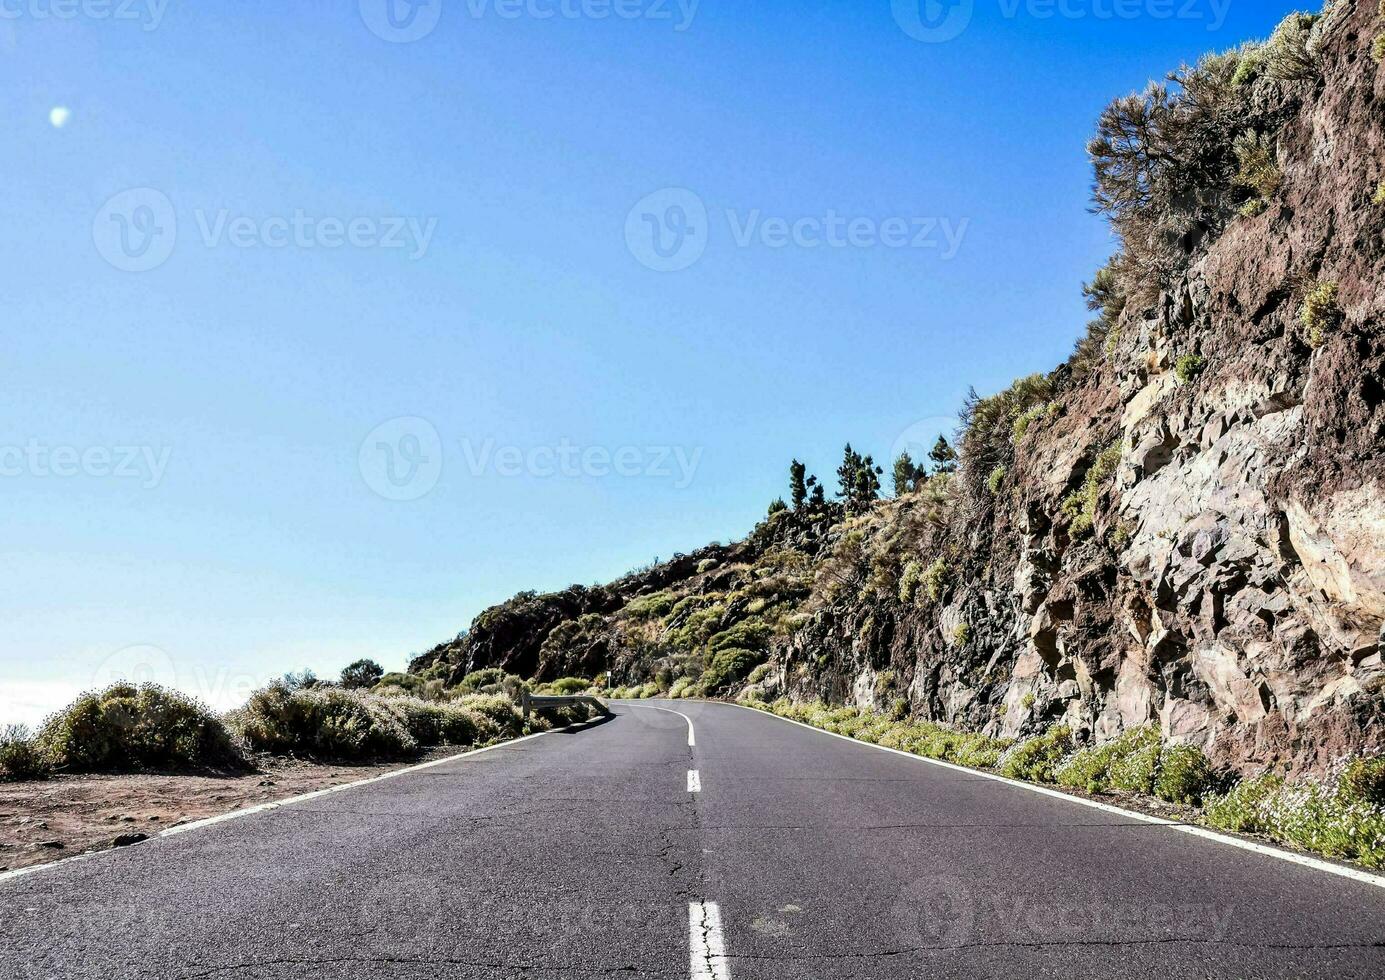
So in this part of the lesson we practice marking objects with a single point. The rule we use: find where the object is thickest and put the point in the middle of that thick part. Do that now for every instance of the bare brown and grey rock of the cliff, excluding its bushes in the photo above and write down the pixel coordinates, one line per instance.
(1200, 550)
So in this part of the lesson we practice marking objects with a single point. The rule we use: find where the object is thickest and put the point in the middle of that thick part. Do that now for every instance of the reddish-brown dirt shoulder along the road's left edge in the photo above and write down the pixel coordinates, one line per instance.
(70, 815)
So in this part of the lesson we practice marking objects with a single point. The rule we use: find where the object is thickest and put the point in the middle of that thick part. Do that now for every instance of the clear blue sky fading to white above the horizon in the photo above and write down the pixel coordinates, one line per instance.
(329, 325)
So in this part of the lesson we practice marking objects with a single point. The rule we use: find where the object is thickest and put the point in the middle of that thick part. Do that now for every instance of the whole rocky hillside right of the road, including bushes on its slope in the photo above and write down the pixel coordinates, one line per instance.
(1182, 525)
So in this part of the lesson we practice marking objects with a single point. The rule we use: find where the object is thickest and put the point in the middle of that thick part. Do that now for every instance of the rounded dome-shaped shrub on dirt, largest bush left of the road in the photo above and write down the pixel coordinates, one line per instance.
(135, 727)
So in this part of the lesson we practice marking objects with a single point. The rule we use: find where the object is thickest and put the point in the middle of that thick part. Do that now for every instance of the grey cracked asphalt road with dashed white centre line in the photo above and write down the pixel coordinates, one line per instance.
(798, 857)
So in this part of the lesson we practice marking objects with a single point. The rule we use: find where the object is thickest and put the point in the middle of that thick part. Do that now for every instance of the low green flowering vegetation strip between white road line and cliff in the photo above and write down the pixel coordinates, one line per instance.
(1340, 819)
